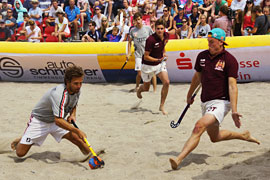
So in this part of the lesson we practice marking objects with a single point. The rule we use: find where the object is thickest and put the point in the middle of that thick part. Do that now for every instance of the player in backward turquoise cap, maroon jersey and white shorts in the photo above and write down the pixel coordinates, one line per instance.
(217, 70)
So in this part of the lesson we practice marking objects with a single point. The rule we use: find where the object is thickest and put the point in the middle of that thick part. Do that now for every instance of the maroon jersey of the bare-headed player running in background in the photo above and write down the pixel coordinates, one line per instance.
(155, 46)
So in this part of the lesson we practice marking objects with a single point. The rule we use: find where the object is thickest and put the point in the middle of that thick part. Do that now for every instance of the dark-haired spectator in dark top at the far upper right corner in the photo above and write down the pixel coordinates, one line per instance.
(261, 25)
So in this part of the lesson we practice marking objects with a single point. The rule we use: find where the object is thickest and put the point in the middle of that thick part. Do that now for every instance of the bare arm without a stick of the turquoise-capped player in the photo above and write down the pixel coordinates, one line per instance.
(233, 92)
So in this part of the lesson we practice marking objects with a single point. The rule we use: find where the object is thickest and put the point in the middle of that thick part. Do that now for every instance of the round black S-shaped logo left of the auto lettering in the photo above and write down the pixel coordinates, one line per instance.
(10, 67)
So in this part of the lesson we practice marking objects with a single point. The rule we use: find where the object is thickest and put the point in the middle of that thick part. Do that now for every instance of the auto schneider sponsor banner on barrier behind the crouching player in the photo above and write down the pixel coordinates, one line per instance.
(47, 67)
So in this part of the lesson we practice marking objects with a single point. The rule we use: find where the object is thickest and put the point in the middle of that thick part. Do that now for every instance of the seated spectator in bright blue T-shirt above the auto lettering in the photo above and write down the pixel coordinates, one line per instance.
(73, 16)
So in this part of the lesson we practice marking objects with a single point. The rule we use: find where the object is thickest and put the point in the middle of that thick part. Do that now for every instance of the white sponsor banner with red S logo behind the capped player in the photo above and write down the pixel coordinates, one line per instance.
(253, 64)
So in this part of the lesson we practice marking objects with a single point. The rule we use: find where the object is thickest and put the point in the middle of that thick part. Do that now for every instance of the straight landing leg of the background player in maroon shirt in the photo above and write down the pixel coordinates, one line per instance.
(163, 76)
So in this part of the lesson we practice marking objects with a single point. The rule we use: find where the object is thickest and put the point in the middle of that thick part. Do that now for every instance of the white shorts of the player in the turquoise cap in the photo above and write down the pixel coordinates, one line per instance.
(219, 108)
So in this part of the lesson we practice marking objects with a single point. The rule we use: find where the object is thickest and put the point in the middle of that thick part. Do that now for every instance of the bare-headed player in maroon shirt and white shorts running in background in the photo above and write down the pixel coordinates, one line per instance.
(152, 63)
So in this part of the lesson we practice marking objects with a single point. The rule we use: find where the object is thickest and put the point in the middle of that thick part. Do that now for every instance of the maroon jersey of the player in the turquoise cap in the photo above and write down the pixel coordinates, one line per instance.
(215, 73)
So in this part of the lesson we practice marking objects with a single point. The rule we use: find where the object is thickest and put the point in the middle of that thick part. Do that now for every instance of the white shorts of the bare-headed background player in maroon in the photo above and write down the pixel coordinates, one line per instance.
(149, 71)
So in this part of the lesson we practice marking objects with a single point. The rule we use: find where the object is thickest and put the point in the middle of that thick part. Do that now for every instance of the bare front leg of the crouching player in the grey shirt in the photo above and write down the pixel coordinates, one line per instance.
(74, 138)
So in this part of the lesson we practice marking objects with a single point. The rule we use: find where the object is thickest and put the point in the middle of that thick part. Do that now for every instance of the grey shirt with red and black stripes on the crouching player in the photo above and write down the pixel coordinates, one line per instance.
(56, 102)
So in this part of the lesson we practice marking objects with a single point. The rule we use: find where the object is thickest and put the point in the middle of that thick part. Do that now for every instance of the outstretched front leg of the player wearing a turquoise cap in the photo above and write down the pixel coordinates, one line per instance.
(194, 139)
